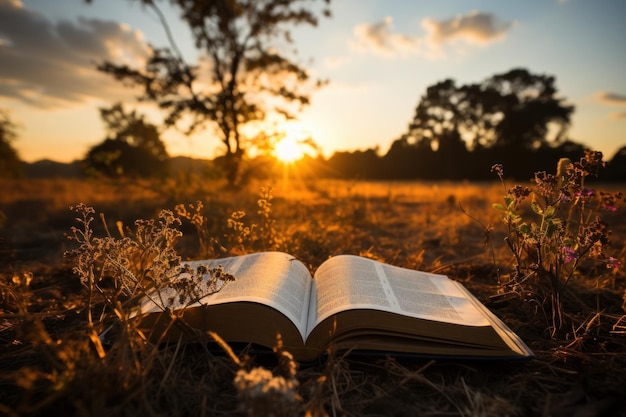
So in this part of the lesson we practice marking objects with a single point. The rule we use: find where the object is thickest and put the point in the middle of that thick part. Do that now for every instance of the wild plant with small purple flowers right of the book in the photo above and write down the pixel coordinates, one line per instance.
(563, 230)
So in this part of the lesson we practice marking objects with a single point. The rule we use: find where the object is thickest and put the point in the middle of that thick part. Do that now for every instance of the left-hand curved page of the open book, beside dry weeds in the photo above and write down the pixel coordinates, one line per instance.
(275, 279)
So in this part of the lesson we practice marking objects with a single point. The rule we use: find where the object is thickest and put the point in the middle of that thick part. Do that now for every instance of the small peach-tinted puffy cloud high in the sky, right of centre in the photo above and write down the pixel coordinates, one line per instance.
(476, 28)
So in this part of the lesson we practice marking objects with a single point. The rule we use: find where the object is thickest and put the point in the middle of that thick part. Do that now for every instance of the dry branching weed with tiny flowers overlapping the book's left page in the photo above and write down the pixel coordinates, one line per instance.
(144, 266)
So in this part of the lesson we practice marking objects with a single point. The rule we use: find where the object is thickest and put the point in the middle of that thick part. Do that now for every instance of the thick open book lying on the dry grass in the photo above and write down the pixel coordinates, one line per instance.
(351, 303)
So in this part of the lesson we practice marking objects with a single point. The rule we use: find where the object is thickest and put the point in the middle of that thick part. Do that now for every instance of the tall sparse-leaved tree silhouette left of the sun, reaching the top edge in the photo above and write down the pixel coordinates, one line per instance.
(247, 76)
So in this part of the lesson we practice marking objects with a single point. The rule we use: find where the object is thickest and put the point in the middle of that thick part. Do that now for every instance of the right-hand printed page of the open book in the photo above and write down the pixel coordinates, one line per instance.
(351, 282)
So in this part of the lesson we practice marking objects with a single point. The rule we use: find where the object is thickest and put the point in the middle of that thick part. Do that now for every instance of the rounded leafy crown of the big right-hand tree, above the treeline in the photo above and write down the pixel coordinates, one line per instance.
(516, 109)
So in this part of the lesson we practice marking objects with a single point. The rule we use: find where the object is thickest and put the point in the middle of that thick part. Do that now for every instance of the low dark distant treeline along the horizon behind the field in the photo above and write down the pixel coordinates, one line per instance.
(402, 162)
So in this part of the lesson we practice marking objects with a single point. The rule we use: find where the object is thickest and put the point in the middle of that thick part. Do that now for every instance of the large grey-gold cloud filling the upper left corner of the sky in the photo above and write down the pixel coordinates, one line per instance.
(48, 64)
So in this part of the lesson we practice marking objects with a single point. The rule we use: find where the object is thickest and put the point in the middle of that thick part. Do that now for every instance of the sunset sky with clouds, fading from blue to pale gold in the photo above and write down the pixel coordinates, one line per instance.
(379, 56)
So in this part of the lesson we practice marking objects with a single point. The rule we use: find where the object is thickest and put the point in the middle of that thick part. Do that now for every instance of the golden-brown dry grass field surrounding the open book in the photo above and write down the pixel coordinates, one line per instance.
(50, 361)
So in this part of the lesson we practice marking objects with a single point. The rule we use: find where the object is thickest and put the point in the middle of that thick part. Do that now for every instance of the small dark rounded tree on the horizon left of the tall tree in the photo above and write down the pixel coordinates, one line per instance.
(132, 147)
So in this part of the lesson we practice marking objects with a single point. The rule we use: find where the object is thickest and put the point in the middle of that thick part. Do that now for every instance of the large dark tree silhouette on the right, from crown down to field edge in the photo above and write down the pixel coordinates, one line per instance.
(507, 118)
